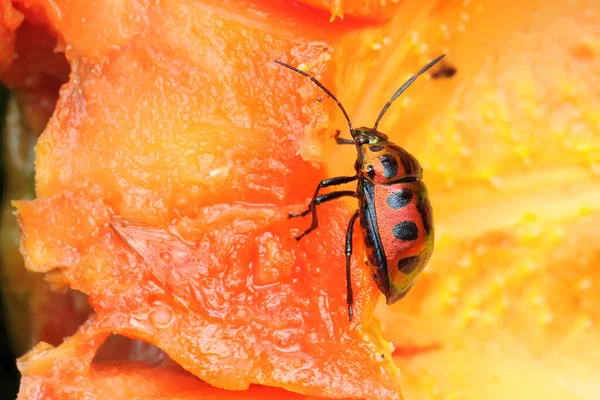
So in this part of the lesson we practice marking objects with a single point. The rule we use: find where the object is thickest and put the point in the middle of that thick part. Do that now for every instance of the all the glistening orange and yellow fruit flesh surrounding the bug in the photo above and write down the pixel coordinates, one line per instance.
(174, 126)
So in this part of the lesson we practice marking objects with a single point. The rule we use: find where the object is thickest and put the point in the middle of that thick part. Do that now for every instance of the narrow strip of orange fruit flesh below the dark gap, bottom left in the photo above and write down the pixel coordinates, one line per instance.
(117, 380)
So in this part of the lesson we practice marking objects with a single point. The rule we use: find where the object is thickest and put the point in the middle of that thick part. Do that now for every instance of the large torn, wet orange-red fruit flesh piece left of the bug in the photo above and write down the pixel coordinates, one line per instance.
(177, 171)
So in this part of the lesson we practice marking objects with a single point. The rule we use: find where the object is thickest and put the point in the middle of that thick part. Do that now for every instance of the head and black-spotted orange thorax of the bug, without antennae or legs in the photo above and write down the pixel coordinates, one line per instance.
(383, 162)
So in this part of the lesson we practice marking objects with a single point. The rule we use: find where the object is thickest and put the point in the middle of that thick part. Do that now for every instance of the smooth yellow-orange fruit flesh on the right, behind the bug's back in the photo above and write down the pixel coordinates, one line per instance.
(507, 290)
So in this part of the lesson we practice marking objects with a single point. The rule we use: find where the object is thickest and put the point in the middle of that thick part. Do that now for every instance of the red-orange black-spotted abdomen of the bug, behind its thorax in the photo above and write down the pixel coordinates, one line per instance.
(404, 223)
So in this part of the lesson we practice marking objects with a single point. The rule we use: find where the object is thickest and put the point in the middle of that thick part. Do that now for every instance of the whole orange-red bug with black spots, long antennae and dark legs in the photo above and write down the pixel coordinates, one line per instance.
(393, 206)
